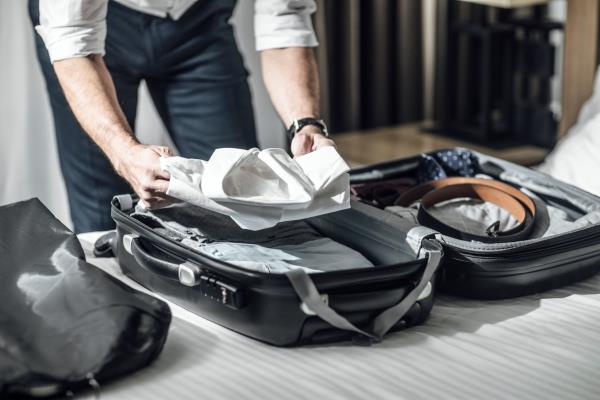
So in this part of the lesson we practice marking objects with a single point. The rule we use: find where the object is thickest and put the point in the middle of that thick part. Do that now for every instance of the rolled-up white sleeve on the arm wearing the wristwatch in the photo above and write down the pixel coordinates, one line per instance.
(284, 23)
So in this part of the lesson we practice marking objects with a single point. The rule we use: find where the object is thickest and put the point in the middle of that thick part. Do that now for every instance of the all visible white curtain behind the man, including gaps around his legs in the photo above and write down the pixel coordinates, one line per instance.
(28, 157)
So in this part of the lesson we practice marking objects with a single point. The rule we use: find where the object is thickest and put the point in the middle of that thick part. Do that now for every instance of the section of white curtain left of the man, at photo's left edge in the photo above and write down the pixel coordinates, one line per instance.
(28, 158)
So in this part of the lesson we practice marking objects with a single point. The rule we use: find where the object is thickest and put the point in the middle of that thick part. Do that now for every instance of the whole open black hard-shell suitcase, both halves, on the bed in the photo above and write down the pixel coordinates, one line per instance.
(331, 306)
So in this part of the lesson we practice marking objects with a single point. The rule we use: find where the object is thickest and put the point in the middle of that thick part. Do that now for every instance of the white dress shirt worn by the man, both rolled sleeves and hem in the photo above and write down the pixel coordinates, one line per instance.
(77, 28)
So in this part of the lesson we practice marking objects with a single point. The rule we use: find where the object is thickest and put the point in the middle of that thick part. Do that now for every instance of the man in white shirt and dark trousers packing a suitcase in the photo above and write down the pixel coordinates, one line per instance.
(95, 53)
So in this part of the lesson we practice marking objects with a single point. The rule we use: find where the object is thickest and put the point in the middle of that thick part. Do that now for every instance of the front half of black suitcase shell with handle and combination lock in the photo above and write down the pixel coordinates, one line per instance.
(297, 308)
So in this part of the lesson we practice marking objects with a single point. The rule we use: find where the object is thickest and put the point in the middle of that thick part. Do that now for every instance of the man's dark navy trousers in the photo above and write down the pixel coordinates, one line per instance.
(198, 83)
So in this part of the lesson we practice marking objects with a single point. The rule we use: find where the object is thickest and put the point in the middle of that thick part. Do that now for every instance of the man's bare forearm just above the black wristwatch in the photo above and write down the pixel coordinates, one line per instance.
(292, 79)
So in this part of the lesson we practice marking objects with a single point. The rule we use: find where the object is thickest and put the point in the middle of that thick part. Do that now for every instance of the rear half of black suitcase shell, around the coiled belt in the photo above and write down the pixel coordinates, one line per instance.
(503, 270)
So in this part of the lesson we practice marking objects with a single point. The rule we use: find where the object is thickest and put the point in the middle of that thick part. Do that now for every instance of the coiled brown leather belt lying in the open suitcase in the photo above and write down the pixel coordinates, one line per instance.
(517, 203)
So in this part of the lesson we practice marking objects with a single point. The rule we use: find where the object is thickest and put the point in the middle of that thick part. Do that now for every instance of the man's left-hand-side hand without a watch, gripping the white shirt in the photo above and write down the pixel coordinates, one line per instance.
(140, 166)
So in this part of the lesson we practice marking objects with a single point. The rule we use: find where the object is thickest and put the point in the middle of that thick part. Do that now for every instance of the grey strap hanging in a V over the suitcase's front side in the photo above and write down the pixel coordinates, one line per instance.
(384, 321)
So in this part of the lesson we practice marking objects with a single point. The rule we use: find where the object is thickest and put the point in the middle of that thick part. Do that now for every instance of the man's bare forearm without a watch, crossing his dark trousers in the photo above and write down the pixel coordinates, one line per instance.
(91, 94)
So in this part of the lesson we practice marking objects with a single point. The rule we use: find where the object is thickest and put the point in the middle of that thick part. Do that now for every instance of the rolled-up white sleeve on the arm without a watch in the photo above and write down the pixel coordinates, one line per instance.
(73, 28)
